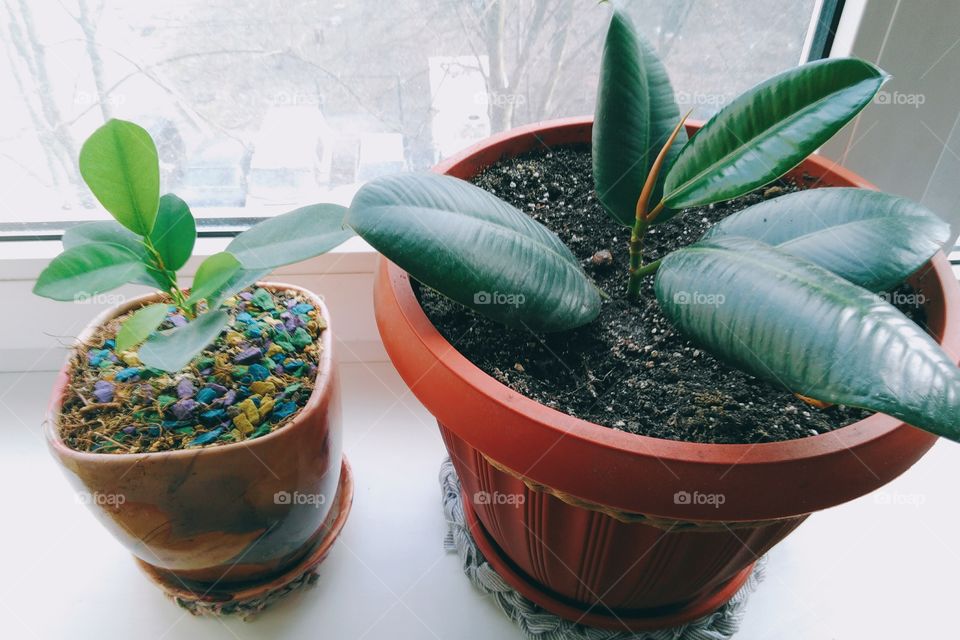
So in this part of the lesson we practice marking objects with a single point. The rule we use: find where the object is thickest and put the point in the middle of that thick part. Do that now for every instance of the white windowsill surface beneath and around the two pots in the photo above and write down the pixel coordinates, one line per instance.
(881, 567)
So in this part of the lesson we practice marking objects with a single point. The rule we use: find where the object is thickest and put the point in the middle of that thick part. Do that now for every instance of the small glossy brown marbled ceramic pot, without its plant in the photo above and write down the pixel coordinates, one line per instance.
(219, 516)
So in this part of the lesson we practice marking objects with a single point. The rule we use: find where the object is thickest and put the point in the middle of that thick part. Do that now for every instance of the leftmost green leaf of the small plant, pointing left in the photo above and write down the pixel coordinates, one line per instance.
(88, 269)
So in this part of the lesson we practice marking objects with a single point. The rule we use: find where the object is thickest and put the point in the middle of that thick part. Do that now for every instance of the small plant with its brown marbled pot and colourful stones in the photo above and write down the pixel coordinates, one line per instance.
(202, 426)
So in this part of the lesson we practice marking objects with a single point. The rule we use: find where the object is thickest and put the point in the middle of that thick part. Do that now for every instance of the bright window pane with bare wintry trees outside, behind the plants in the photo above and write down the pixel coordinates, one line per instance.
(258, 106)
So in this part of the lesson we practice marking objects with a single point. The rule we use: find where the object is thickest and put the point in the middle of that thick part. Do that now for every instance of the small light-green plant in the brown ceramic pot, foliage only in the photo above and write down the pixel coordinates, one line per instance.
(152, 237)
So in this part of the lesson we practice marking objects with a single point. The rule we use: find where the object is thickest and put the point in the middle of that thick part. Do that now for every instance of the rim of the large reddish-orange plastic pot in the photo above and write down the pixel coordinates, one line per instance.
(848, 438)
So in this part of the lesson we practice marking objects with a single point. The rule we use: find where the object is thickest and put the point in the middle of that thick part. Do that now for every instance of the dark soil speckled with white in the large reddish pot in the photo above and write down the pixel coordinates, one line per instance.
(629, 369)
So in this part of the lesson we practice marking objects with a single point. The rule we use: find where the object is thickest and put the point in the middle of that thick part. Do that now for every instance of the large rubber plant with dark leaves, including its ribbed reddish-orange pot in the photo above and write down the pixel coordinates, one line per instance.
(613, 528)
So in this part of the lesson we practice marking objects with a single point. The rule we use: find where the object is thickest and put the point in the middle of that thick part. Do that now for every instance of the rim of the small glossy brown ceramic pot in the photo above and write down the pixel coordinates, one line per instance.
(323, 381)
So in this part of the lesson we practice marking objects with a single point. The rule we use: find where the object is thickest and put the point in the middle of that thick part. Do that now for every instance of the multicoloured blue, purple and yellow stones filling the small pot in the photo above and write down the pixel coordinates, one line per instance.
(251, 381)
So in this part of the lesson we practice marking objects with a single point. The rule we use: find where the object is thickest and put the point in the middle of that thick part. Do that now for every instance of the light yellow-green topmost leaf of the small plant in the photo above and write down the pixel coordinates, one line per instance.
(119, 163)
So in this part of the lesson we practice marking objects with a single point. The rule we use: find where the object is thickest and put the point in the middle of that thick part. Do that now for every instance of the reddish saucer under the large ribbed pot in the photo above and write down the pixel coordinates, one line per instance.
(597, 616)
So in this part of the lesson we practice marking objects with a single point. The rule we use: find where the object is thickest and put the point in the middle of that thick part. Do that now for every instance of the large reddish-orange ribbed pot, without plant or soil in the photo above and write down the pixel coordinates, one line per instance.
(618, 530)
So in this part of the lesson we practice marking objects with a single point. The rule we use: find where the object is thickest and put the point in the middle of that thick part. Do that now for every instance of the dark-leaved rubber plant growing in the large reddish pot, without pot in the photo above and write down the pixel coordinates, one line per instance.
(786, 289)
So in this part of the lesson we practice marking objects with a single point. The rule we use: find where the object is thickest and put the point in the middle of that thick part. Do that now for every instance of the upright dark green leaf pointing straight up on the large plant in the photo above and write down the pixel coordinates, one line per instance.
(635, 114)
